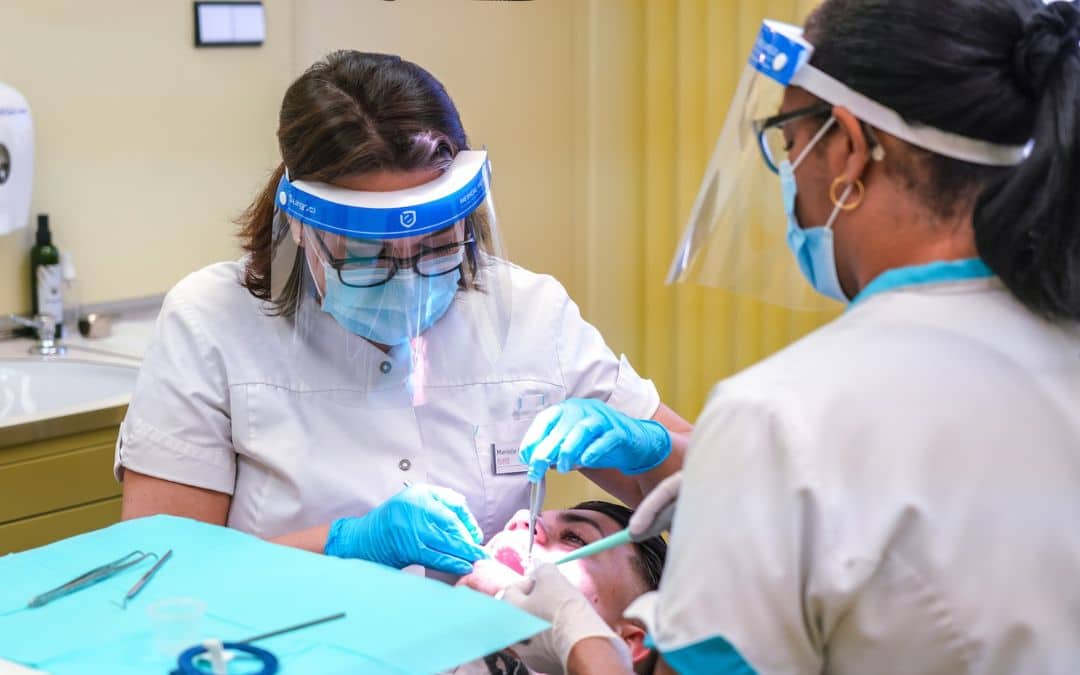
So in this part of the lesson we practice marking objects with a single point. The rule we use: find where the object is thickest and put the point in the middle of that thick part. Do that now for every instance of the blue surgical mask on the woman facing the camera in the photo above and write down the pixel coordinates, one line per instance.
(394, 313)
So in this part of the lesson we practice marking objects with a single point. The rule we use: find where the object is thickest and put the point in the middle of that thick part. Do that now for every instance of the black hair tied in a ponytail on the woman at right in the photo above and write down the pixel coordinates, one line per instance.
(1006, 72)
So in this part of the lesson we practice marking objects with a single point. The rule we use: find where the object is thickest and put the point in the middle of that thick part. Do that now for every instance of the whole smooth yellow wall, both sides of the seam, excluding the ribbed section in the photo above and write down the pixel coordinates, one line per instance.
(150, 148)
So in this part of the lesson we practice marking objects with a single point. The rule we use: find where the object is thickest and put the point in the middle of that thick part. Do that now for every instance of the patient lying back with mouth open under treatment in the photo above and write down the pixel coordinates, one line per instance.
(611, 580)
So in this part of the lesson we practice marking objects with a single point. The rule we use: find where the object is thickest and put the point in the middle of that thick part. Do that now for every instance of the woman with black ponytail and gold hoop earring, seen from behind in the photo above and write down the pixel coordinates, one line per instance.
(899, 492)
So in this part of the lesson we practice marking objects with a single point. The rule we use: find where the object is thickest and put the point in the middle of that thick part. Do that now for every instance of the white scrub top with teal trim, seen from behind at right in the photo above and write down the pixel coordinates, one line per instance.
(897, 493)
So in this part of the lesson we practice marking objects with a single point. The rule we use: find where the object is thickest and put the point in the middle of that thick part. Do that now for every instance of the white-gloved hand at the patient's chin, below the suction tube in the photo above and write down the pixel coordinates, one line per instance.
(549, 596)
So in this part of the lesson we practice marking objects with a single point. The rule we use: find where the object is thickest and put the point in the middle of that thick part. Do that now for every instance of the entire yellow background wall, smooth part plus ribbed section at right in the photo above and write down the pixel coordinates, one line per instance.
(600, 117)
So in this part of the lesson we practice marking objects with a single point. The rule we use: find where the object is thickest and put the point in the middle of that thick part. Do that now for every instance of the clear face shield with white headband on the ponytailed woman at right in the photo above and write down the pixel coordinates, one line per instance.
(737, 235)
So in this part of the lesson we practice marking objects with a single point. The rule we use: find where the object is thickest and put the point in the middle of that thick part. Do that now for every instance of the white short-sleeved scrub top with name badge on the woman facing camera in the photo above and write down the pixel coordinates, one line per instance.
(211, 409)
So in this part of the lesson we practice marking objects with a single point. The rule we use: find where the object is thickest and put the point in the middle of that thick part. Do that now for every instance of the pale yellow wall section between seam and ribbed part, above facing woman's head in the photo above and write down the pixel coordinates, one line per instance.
(510, 67)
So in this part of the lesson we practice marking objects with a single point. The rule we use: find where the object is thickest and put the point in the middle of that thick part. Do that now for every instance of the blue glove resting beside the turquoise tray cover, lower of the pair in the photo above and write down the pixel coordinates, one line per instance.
(422, 525)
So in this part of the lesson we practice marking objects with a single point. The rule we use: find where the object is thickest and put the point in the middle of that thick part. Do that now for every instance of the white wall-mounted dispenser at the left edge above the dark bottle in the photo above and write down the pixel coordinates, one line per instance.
(17, 159)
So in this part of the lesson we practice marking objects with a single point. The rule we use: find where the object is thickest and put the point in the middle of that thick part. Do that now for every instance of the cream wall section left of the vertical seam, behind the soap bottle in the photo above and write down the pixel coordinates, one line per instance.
(146, 147)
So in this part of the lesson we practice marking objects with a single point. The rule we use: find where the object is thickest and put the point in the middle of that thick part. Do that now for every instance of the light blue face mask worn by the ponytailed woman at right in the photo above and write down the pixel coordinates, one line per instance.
(813, 248)
